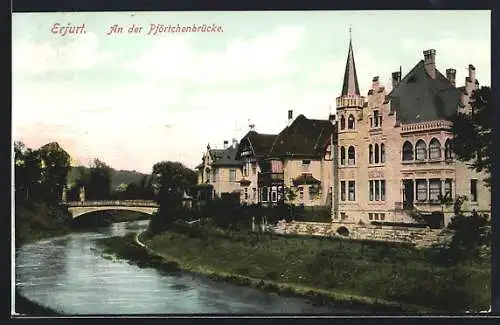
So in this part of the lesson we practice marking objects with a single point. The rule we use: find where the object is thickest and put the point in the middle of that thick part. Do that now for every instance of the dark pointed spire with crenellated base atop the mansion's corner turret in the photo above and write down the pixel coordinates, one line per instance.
(350, 98)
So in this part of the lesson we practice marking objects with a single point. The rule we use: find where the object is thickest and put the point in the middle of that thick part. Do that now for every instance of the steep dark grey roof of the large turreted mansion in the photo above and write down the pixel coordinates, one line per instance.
(418, 97)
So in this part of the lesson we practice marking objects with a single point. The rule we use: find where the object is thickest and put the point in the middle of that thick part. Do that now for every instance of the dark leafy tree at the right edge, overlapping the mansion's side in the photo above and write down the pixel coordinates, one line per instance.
(472, 141)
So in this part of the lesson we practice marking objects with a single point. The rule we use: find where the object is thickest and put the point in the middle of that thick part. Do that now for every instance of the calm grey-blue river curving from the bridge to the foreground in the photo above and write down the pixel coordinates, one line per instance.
(70, 274)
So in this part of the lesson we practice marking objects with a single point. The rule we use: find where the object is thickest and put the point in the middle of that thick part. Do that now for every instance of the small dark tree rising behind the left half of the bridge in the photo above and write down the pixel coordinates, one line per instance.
(99, 187)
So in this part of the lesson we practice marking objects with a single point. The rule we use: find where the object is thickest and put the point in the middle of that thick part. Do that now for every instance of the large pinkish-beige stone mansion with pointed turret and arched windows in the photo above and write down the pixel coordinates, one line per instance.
(395, 147)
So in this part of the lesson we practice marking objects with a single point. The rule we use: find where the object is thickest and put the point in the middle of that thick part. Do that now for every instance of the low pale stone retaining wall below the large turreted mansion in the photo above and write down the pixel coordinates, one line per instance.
(416, 236)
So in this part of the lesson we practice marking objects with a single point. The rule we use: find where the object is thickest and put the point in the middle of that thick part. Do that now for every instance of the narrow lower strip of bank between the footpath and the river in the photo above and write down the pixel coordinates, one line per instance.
(129, 248)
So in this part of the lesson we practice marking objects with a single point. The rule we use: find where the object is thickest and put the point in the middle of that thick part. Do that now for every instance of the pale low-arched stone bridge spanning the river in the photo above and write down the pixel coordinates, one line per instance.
(80, 208)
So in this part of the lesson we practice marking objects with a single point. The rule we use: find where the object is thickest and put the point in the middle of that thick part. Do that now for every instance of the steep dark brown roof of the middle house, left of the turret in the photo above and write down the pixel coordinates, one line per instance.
(304, 137)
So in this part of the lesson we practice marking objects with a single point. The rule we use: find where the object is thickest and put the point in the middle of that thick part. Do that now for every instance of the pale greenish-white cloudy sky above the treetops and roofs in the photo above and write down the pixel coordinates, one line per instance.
(133, 99)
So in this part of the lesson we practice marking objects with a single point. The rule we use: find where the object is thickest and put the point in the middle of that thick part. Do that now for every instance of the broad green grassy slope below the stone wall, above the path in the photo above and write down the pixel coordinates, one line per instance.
(377, 270)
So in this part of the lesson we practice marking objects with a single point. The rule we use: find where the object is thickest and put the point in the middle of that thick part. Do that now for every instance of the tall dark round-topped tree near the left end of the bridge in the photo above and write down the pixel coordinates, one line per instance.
(56, 163)
